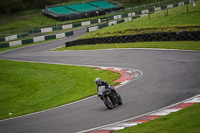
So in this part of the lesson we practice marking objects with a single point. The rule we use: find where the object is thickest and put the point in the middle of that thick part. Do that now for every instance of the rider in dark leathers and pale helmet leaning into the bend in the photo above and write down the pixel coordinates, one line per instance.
(100, 82)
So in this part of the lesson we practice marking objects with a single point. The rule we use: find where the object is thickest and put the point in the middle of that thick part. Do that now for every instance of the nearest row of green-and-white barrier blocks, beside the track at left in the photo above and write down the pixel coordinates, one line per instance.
(36, 39)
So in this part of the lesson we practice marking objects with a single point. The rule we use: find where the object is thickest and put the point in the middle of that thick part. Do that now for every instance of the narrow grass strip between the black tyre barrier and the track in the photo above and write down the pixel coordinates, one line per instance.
(184, 45)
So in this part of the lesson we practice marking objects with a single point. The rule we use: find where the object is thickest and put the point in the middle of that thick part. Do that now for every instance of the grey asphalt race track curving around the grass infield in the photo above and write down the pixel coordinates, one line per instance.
(169, 76)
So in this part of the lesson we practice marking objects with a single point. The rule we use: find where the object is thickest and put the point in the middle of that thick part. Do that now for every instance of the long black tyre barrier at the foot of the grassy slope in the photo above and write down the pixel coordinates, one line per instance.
(161, 36)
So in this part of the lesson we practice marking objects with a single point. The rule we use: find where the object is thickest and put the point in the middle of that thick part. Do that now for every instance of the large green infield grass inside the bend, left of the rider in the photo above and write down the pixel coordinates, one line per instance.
(30, 87)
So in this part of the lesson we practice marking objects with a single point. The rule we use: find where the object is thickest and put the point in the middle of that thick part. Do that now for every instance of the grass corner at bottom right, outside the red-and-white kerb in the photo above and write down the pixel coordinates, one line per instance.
(183, 121)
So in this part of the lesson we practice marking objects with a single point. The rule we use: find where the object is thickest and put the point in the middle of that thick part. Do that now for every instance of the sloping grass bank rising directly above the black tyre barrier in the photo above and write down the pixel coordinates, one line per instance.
(177, 20)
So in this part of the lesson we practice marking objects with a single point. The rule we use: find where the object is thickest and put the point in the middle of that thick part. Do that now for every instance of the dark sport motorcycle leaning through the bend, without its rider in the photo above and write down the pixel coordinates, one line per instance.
(110, 97)
